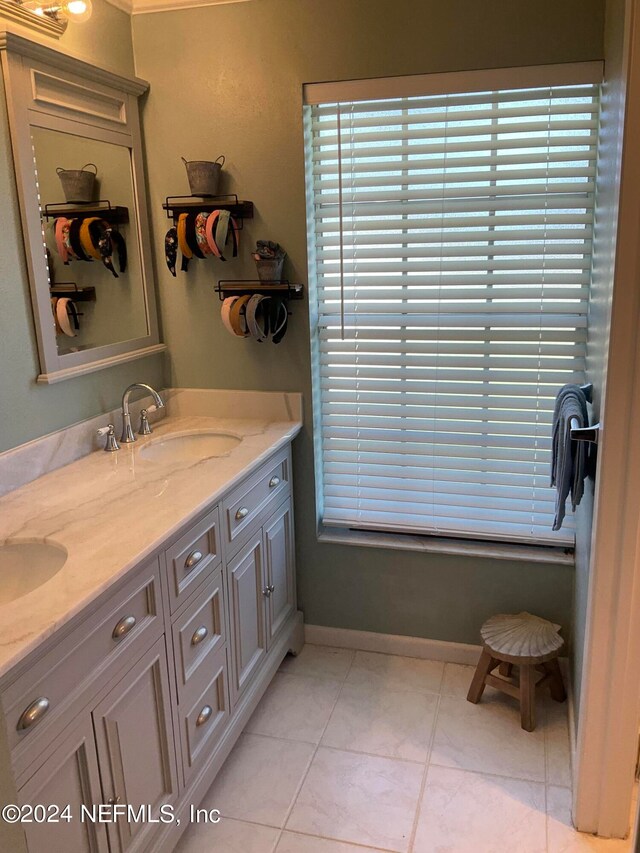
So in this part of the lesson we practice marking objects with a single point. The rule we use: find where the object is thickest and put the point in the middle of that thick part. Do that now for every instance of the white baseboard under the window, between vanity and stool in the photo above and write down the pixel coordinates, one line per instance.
(392, 644)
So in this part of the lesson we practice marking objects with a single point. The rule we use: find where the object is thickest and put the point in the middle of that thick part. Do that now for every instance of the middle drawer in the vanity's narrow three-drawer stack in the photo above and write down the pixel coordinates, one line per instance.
(199, 632)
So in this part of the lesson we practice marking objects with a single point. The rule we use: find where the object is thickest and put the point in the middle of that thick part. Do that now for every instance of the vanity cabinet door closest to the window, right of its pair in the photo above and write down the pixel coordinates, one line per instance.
(280, 568)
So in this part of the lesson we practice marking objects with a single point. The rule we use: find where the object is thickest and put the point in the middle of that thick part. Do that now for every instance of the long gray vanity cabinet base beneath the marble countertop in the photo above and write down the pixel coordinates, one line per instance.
(140, 702)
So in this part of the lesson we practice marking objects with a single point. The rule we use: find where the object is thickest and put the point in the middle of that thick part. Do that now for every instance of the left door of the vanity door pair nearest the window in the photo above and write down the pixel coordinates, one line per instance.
(247, 595)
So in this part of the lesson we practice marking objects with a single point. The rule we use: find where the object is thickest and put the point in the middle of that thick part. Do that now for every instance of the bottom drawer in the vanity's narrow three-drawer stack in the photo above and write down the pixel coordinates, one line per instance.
(203, 721)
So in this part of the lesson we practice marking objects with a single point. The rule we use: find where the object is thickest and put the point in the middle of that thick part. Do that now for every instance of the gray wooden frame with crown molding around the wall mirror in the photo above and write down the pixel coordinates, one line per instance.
(46, 88)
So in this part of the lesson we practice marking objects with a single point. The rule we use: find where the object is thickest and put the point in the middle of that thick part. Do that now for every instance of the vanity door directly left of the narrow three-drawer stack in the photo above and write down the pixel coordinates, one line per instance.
(136, 749)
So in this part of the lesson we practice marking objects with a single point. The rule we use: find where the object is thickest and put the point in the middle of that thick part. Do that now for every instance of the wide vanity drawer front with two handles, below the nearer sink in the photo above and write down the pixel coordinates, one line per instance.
(42, 700)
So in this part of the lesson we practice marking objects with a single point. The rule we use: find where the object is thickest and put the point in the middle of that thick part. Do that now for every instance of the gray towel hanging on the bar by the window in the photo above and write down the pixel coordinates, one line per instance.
(568, 458)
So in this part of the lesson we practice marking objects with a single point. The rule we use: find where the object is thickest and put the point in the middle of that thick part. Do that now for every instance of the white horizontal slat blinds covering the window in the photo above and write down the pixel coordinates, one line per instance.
(450, 253)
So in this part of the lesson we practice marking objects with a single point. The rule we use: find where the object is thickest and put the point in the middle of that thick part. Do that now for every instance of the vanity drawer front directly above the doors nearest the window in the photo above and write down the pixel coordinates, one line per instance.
(245, 502)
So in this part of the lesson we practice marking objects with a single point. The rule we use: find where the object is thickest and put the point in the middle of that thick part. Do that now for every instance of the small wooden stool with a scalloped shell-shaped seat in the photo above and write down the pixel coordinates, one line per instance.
(533, 645)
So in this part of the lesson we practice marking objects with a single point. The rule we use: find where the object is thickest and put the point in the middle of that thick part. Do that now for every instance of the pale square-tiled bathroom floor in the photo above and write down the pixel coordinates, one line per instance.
(355, 751)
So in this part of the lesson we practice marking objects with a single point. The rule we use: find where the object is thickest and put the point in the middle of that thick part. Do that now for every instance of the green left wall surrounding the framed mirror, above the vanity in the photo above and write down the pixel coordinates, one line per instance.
(28, 410)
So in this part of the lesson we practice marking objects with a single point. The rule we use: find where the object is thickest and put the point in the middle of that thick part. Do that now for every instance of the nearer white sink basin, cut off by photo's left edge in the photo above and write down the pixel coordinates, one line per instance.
(24, 566)
